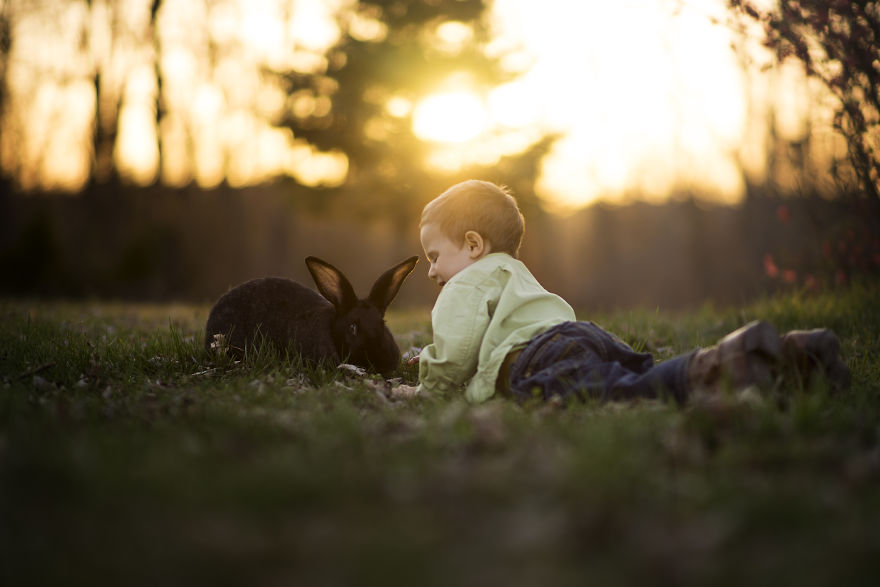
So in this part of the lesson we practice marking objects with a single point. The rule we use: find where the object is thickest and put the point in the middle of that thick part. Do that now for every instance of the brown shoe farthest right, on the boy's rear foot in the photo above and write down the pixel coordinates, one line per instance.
(813, 355)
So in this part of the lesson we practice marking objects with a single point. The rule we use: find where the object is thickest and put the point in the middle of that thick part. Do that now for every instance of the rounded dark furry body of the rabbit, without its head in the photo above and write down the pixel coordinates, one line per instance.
(280, 311)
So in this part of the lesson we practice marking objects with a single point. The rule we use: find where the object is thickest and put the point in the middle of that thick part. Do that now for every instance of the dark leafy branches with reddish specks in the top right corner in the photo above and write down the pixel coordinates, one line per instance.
(838, 43)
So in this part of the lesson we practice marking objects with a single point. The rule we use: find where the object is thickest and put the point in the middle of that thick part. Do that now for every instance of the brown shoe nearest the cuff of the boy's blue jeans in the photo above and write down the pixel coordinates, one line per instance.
(745, 357)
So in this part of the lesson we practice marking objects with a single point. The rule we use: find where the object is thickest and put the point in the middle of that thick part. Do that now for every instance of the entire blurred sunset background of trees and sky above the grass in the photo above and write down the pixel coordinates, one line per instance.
(666, 153)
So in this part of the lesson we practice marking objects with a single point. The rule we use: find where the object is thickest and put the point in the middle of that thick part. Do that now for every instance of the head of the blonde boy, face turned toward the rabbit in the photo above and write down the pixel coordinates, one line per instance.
(466, 222)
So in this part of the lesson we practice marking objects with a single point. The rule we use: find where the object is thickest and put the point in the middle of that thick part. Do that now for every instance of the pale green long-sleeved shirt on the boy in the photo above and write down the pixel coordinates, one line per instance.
(482, 313)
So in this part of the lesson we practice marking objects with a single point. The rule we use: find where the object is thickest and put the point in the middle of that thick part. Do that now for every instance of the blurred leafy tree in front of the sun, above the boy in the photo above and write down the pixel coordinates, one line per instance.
(387, 53)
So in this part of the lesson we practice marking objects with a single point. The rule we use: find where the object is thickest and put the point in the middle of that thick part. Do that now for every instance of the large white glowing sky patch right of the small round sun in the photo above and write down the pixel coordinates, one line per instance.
(658, 109)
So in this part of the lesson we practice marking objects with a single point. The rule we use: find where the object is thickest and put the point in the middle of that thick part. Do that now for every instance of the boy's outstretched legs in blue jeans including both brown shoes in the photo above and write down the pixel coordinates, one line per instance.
(579, 359)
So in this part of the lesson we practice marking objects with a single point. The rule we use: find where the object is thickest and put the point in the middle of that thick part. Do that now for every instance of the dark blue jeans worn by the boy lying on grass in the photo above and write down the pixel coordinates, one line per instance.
(581, 360)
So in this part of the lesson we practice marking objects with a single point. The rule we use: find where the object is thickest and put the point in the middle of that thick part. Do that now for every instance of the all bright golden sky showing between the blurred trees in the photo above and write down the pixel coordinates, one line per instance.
(648, 95)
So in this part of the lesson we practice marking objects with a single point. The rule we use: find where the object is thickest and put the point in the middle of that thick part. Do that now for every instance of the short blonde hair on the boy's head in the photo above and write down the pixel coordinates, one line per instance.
(480, 206)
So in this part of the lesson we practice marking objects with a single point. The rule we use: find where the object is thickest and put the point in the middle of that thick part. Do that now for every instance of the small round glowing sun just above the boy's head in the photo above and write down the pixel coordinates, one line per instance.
(453, 117)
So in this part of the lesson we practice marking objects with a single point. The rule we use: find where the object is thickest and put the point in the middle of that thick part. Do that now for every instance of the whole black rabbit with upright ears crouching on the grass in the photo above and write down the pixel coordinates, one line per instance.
(333, 328)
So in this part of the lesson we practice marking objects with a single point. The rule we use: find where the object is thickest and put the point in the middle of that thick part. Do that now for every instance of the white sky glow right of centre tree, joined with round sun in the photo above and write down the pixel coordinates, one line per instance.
(660, 110)
